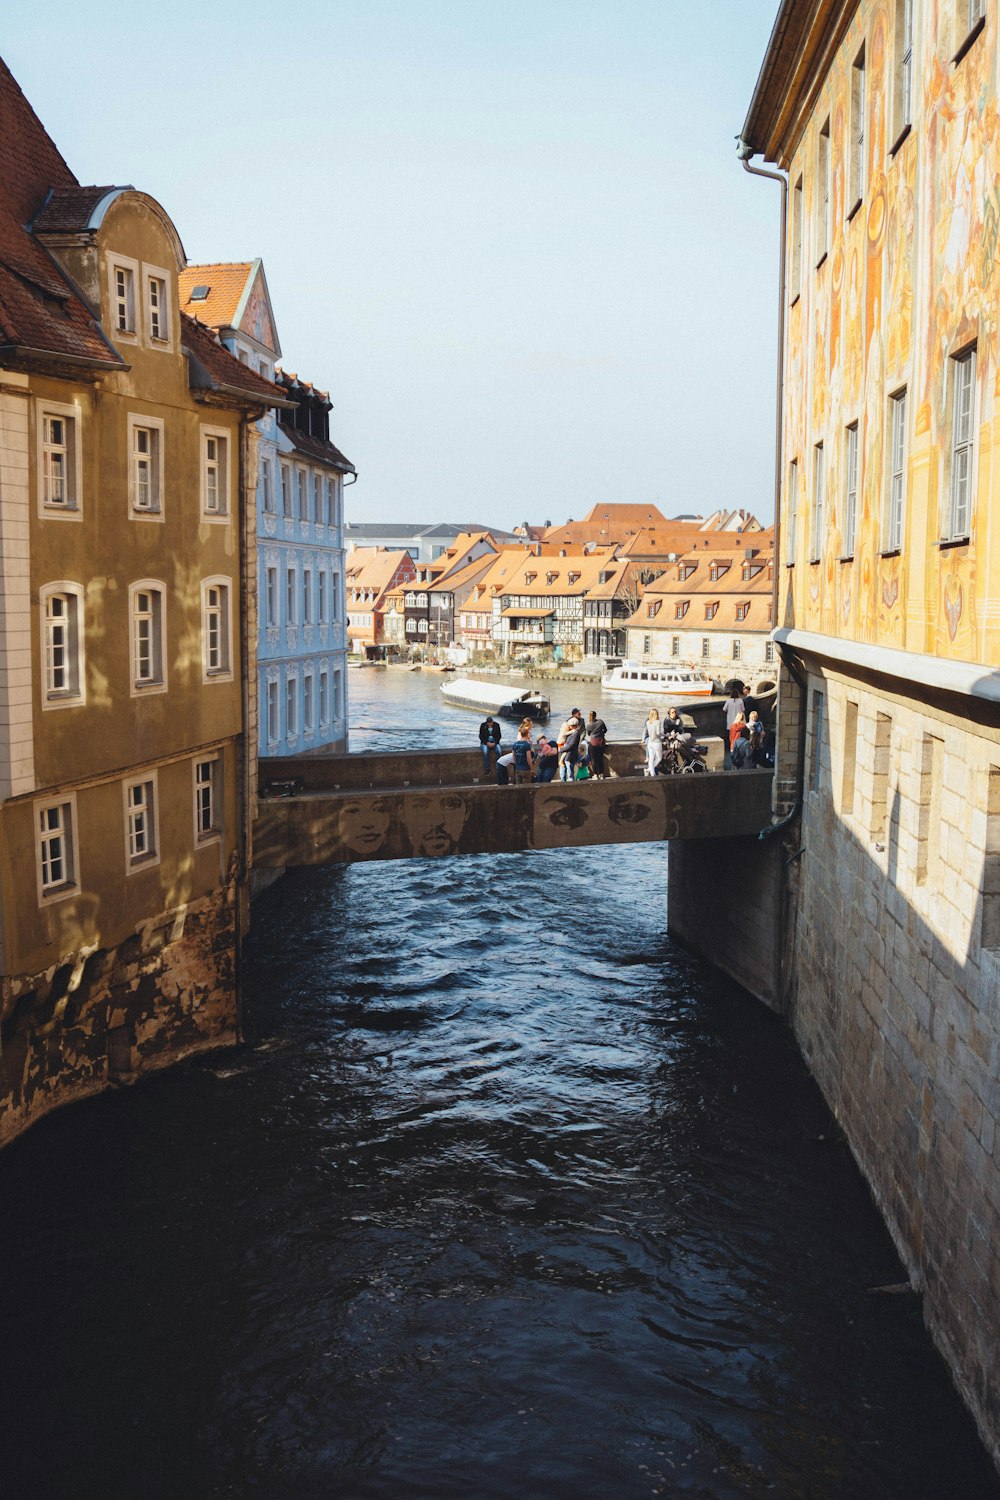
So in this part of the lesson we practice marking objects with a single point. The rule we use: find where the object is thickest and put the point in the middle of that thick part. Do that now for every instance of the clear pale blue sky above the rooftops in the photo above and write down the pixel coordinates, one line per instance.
(510, 238)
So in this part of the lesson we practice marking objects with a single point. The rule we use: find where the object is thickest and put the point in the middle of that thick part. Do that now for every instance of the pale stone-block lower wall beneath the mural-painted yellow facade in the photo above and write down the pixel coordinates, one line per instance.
(896, 986)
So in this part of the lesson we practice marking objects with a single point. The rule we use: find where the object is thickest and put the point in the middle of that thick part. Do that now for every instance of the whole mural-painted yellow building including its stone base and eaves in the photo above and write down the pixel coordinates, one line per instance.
(884, 116)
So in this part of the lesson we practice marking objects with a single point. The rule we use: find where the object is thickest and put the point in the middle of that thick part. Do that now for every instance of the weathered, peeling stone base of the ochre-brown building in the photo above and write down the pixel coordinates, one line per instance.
(109, 1016)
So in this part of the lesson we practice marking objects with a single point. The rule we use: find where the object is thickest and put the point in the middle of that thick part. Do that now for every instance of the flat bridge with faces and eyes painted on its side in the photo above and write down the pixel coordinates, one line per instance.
(353, 809)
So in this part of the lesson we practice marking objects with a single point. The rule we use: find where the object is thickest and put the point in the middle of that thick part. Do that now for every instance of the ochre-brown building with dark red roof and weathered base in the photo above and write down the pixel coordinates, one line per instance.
(125, 779)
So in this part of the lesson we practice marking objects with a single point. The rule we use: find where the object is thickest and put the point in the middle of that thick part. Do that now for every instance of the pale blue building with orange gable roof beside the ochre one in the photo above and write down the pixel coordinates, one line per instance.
(302, 616)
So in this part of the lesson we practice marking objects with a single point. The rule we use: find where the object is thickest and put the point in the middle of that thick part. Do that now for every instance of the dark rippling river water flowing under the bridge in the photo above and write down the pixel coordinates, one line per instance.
(510, 1201)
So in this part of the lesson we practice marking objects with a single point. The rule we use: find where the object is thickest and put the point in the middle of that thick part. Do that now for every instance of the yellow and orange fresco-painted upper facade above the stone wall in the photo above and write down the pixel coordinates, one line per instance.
(911, 280)
